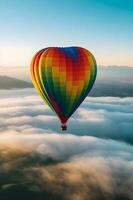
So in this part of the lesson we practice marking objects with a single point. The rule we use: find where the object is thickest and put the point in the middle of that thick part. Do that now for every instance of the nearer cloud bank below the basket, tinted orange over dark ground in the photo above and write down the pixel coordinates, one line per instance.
(68, 167)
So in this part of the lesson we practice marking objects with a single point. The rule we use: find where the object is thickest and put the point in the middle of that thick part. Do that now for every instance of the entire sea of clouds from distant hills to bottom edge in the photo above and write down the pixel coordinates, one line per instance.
(93, 160)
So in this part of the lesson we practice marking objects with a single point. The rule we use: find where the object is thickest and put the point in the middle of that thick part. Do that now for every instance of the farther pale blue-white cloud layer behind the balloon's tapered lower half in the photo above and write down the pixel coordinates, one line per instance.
(103, 117)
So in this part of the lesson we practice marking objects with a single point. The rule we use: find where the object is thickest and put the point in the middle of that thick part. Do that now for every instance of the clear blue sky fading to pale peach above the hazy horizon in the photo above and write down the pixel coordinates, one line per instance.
(104, 27)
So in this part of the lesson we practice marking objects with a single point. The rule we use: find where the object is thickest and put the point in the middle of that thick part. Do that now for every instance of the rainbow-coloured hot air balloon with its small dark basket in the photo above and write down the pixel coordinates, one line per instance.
(63, 77)
